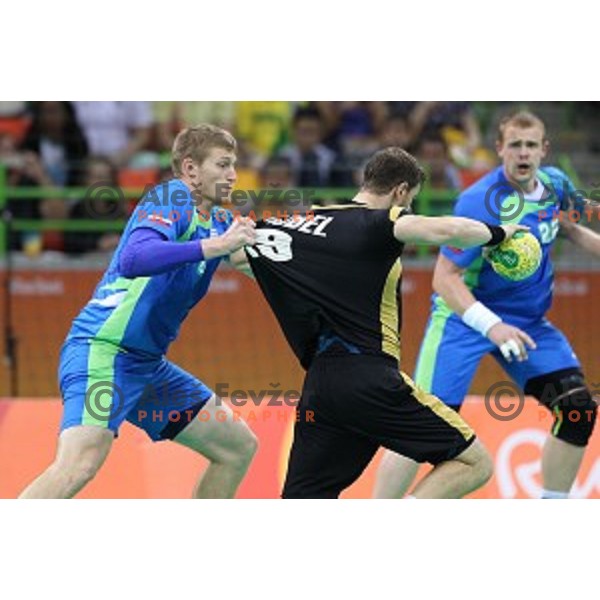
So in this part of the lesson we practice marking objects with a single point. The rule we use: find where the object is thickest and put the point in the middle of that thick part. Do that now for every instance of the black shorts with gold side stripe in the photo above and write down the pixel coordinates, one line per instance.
(352, 405)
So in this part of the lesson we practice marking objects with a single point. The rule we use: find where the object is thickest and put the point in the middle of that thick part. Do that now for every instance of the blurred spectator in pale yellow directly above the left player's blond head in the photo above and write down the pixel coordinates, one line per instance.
(171, 117)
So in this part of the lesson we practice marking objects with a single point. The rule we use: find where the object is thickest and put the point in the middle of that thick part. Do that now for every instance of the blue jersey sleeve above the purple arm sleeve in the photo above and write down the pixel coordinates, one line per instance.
(164, 210)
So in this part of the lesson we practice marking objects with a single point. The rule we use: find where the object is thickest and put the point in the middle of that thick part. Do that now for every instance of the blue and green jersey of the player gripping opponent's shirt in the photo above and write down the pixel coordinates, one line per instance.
(144, 314)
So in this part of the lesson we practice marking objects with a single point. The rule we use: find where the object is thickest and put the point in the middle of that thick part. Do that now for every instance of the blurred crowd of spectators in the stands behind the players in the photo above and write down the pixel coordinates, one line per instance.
(281, 144)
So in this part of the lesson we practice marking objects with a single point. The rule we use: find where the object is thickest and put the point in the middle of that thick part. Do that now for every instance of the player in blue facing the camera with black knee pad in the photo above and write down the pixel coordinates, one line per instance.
(476, 312)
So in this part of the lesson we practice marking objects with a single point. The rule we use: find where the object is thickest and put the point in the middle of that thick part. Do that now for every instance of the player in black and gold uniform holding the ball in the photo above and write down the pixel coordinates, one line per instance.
(332, 278)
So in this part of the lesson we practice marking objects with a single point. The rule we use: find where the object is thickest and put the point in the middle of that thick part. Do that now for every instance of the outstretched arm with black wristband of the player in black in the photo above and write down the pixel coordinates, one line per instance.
(451, 231)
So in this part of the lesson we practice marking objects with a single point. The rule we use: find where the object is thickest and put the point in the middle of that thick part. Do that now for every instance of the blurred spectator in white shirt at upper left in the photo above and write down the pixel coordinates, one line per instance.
(115, 130)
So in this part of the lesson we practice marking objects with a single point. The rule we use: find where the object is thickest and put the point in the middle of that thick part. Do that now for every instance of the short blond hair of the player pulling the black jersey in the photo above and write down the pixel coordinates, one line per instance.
(196, 142)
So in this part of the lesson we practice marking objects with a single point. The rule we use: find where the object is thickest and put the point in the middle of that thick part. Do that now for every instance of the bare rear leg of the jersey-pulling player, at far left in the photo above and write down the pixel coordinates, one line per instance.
(81, 452)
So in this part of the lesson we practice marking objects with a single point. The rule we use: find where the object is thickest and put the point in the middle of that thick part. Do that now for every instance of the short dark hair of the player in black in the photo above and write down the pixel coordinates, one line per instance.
(389, 168)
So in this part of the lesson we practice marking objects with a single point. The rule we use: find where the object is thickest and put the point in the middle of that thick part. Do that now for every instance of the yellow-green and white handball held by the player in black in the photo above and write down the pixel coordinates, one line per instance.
(517, 258)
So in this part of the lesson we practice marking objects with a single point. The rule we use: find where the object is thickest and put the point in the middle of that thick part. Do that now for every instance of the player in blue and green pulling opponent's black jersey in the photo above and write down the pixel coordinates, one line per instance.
(113, 366)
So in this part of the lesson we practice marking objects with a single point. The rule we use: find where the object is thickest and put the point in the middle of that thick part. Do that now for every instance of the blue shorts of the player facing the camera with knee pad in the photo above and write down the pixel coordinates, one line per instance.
(451, 352)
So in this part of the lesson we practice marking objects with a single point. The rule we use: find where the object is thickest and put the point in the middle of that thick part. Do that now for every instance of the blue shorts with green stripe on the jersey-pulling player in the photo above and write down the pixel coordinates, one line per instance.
(104, 385)
